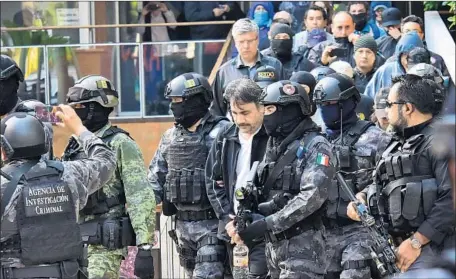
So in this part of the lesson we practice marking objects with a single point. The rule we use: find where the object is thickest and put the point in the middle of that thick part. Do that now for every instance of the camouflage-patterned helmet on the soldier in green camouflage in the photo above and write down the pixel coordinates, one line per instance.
(93, 88)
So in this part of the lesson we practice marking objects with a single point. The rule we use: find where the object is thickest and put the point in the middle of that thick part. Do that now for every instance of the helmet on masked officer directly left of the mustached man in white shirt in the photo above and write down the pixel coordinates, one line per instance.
(187, 85)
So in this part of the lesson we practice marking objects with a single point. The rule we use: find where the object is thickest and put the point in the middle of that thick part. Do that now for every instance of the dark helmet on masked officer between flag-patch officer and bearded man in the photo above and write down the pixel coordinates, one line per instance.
(335, 87)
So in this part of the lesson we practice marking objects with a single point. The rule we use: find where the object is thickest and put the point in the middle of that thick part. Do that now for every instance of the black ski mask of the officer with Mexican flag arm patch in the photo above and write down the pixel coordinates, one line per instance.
(283, 121)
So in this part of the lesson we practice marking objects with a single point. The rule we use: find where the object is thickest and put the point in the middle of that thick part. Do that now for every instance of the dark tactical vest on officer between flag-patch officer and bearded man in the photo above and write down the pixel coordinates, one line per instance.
(338, 200)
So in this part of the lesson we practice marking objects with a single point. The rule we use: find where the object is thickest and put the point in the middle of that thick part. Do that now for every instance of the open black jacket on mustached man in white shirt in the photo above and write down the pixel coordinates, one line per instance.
(220, 168)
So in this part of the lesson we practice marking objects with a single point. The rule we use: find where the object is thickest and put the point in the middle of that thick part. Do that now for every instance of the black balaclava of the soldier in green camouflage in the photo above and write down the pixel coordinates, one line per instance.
(93, 115)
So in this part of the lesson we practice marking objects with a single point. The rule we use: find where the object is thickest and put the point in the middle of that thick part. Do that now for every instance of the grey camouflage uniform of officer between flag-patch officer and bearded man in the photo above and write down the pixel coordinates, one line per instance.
(348, 241)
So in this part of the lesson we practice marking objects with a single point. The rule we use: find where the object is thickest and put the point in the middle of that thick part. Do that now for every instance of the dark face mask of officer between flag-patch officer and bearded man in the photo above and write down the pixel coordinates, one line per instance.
(331, 114)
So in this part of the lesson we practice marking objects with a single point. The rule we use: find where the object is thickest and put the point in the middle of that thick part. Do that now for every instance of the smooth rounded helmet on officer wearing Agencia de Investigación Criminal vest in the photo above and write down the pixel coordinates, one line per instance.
(23, 136)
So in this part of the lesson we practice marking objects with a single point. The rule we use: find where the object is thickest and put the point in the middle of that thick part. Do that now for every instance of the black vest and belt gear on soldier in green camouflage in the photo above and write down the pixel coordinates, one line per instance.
(112, 233)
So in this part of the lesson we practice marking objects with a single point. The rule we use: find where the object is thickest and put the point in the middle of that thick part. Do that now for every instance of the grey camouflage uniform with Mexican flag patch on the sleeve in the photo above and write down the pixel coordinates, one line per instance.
(301, 255)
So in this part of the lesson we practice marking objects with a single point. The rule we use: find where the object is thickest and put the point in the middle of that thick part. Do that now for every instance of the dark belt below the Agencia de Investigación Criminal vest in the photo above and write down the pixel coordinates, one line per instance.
(58, 270)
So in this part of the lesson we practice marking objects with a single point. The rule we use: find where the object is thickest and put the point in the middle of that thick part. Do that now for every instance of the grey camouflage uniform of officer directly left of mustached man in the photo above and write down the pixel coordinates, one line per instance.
(200, 252)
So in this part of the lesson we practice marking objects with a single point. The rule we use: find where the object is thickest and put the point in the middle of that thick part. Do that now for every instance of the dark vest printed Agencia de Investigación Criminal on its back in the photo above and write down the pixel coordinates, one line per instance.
(48, 232)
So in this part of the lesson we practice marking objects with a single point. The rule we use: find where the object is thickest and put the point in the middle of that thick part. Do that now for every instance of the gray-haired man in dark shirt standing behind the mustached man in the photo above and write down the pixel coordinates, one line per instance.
(245, 35)
